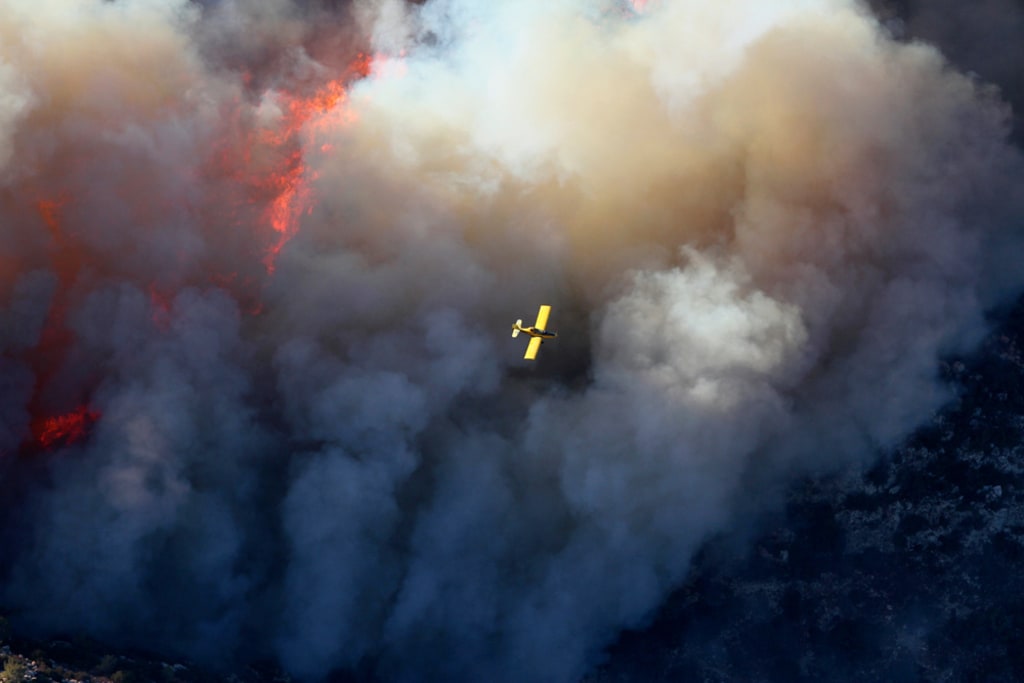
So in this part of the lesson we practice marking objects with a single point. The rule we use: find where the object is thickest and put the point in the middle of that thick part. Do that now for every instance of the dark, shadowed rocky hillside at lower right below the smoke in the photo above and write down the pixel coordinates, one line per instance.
(911, 572)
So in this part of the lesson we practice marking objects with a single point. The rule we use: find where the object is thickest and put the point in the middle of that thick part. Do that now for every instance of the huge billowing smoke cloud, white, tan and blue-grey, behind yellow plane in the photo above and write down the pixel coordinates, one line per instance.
(259, 393)
